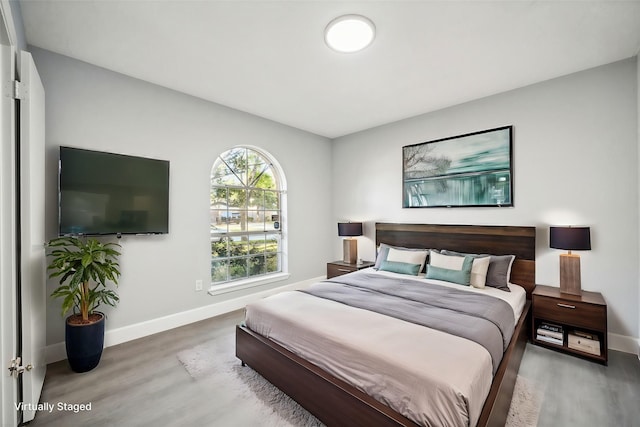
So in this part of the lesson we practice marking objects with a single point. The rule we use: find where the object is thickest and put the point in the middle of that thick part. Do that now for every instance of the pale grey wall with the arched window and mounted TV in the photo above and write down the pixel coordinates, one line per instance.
(93, 108)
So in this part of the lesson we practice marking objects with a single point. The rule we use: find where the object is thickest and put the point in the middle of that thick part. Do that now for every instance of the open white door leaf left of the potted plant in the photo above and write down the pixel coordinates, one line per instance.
(32, 235)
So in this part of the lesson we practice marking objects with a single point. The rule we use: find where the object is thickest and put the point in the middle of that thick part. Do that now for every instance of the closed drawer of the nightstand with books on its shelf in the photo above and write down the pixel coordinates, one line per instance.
(571, 312)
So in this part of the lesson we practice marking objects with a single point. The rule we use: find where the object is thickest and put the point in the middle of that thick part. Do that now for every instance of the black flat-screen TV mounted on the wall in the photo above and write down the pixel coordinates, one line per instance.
(106, 193)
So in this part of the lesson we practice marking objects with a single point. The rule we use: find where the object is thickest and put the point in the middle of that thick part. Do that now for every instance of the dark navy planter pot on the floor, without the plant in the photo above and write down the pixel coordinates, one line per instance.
(84, 344)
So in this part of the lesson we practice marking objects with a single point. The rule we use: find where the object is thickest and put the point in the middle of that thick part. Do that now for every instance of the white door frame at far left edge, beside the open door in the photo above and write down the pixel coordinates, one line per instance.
(8, 319)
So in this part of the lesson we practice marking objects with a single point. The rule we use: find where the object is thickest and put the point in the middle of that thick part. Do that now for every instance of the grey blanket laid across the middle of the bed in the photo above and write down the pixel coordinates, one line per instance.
(481, 318)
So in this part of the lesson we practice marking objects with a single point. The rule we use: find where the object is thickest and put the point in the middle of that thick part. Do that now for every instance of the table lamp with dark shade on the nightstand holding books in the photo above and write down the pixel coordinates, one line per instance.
(571, 239)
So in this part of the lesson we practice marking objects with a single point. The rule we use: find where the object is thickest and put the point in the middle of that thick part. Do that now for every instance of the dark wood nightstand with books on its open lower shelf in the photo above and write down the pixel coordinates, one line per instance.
(574, 324)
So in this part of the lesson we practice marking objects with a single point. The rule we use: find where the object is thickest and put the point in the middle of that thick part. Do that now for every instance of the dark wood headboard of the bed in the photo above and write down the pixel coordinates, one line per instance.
(480, 239)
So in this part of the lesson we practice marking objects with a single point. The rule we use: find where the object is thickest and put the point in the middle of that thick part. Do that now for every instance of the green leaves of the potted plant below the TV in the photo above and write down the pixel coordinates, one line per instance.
(84, 269)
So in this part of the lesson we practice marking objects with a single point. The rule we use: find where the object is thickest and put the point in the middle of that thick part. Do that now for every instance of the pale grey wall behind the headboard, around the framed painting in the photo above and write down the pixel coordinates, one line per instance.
(575, 162)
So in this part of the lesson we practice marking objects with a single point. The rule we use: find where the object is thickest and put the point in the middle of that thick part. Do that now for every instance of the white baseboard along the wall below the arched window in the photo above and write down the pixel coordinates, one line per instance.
(57, 352)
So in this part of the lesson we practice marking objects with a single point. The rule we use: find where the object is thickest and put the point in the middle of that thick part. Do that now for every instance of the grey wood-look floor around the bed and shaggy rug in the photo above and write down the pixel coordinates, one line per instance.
(142, 383)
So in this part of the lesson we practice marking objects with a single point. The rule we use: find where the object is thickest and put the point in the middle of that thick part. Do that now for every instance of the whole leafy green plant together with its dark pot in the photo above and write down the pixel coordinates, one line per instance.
(84, 267)
